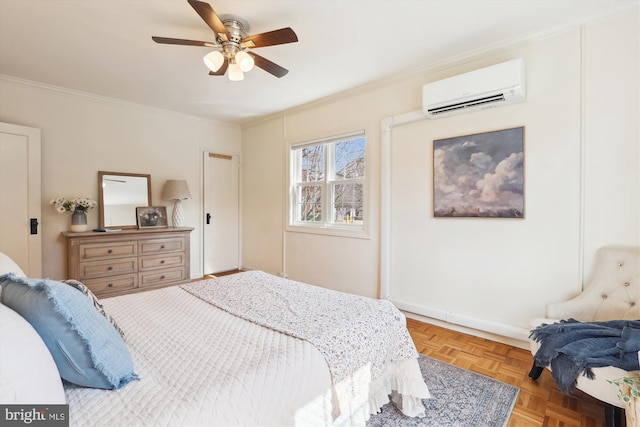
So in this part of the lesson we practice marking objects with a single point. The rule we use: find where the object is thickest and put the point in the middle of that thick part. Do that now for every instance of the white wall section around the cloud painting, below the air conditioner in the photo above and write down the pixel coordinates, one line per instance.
(496, 270)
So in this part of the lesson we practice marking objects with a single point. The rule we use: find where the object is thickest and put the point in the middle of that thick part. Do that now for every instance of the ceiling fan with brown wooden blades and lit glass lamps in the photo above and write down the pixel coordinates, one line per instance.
(232, 44)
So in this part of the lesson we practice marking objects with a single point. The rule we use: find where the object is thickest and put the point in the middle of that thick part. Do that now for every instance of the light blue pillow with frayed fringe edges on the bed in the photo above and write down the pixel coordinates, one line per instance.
(87, 350)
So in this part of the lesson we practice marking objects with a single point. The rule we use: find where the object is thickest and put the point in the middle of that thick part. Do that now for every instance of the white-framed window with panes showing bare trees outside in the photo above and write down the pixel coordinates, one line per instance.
(328, 182)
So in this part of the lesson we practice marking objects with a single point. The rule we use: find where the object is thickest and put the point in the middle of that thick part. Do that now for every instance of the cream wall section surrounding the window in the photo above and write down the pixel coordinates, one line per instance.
(331, 261)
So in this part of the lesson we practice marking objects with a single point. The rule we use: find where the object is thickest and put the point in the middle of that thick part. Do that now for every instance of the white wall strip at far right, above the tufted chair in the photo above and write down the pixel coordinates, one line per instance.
(612, 133)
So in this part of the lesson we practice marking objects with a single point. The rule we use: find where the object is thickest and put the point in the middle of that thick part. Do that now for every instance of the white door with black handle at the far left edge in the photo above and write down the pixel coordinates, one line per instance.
(20, 198)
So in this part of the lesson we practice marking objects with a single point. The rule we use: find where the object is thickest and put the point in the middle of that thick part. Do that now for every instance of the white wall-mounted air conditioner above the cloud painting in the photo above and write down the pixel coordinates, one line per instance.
(494, 86)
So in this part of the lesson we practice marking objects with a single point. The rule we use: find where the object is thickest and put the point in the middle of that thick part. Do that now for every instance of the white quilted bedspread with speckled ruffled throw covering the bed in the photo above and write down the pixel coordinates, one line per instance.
(225, 352)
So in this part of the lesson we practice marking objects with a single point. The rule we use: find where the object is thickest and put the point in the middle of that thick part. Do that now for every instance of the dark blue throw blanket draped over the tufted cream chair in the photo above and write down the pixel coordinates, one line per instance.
(572, 348)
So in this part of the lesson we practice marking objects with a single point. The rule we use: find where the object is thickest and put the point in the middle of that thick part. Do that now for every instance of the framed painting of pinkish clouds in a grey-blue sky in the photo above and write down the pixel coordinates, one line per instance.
(479, 175)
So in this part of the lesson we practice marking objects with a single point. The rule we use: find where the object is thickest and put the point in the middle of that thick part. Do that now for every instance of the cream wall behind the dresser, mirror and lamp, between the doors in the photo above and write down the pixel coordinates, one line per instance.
(82, 135)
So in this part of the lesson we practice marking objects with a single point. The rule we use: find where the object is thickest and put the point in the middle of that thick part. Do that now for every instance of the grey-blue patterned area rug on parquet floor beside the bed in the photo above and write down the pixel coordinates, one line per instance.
(459, 398)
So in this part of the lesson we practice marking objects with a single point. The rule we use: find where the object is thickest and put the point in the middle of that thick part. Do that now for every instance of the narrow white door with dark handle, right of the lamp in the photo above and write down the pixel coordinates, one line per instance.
(221, 213)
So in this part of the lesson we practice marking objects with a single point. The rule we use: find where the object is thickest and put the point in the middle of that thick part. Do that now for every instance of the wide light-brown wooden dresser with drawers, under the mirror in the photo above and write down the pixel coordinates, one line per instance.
(130, 260)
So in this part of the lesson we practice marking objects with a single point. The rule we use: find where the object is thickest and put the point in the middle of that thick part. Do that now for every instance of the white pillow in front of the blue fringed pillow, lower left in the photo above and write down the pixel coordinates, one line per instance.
(28, 373)
